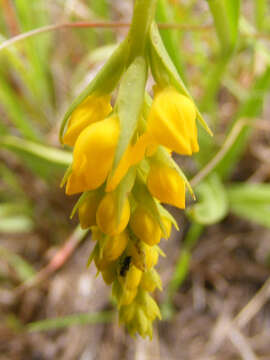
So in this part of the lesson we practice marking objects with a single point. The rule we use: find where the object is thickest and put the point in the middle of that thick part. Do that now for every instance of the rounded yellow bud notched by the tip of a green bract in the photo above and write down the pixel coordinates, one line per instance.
(107, 215)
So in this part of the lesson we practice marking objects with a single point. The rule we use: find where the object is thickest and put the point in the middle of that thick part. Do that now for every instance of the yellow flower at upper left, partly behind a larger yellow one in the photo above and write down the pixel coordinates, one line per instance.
(94, 108)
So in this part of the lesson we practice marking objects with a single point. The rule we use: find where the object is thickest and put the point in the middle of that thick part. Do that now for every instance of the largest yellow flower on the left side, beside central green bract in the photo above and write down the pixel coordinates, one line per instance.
(93, 155)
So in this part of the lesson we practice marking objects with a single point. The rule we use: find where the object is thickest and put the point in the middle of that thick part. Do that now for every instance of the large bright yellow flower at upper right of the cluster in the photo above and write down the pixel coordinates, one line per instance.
(172, 121)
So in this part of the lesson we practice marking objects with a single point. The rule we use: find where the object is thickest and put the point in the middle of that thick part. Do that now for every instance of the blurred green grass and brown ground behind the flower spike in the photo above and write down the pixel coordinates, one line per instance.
(215, 300)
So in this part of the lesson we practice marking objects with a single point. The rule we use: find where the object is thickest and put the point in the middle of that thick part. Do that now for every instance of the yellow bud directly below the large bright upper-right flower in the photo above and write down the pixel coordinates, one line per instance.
(165, 184)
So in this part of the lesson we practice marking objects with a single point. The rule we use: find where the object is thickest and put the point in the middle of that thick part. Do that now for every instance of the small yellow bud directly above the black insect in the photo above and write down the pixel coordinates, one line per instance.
(115, 246)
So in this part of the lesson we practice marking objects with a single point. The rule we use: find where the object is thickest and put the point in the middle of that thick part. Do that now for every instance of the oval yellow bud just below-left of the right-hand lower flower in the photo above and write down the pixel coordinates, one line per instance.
(144, 226)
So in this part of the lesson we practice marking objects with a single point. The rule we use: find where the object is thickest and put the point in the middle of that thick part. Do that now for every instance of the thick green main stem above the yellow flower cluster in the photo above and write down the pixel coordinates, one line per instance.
(143, 15)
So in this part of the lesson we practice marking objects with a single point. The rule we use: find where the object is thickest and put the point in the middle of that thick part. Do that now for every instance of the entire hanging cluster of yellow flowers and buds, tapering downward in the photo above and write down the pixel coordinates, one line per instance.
(126, 229)
